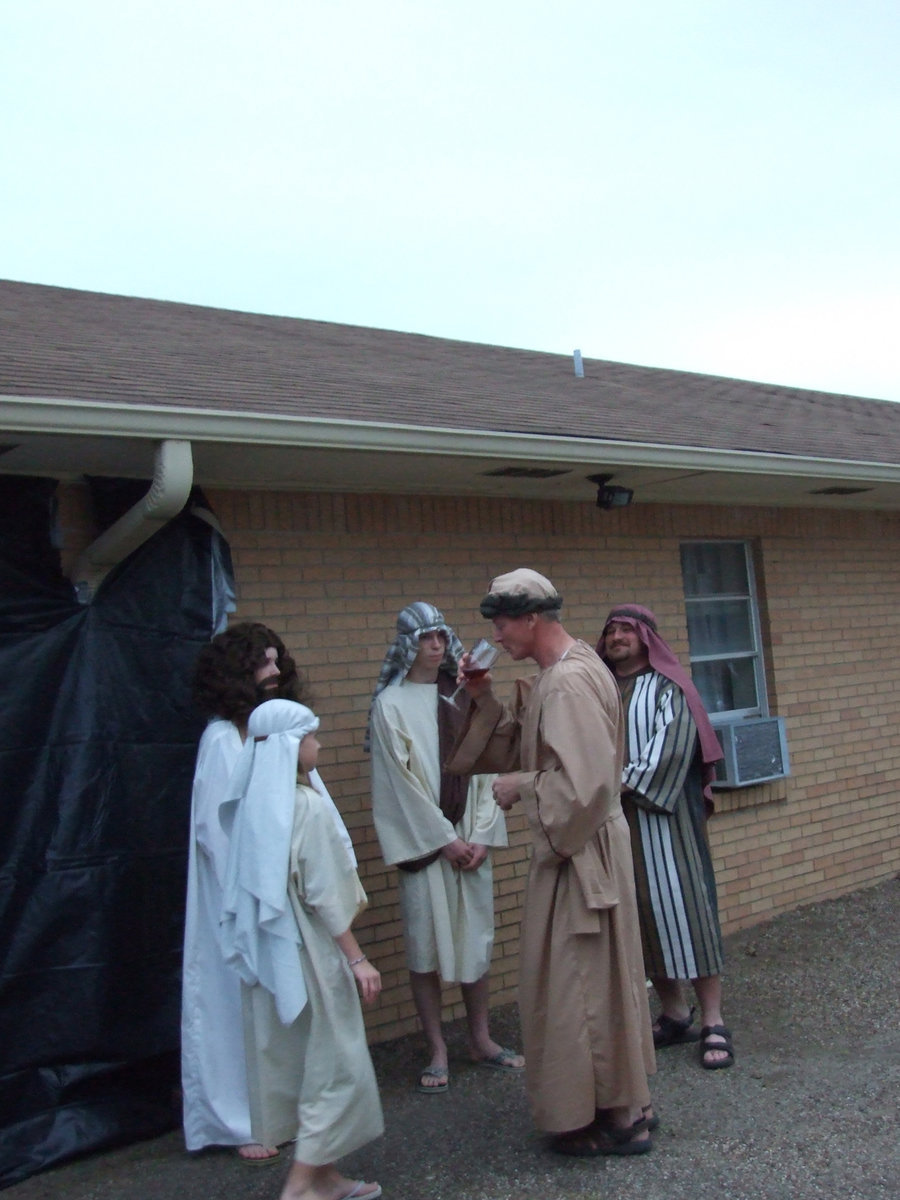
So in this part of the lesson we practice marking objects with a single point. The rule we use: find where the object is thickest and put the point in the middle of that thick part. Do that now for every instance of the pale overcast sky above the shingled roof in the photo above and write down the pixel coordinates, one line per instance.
(709, 185)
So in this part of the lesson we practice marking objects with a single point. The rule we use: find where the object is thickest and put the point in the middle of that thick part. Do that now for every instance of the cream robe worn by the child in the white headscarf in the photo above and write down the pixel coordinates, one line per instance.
(314, 1081)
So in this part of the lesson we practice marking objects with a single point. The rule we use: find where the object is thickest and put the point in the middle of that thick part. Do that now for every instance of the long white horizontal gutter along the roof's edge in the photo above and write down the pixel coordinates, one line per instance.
(29, 415)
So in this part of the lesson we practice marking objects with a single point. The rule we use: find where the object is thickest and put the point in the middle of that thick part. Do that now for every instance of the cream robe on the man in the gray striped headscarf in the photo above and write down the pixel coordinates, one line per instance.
(448, 915)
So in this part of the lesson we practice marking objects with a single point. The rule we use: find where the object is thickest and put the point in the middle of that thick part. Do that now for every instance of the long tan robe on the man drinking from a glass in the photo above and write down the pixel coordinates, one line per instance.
(586, 1021)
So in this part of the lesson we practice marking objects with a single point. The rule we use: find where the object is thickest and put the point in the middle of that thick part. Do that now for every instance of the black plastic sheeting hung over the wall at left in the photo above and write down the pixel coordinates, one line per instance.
(98, 743)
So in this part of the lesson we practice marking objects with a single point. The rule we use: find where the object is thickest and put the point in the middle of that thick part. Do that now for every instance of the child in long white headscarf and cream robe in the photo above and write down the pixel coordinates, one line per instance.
(291, 896)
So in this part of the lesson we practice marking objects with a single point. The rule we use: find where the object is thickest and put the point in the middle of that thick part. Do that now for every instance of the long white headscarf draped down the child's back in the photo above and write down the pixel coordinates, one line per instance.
(259, 932)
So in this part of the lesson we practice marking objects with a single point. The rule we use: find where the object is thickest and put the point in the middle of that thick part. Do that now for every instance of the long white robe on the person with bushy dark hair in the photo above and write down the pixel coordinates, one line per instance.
(214, 1078)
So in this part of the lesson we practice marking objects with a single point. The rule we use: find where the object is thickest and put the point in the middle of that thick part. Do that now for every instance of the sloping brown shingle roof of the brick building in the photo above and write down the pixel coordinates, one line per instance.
(58, 343)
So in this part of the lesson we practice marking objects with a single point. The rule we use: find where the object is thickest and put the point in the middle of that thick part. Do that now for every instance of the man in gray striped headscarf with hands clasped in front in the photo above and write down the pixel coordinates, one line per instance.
(437, 830)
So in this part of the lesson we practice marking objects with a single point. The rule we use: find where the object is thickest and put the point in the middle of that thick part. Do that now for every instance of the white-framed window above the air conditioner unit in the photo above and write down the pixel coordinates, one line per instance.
(724, 629)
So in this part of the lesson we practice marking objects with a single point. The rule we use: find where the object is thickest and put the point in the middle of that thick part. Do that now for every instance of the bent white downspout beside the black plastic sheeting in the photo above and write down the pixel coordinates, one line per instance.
(173, 479)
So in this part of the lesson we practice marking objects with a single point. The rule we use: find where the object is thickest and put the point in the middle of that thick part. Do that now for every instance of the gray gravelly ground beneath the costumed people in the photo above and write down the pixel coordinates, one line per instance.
(809, 1113)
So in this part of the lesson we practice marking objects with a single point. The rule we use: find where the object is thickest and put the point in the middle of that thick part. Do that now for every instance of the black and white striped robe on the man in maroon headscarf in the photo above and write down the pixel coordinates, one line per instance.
(663, 800)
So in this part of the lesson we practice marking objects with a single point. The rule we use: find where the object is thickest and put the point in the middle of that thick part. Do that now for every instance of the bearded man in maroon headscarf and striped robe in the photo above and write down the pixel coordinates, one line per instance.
(670, 764)
